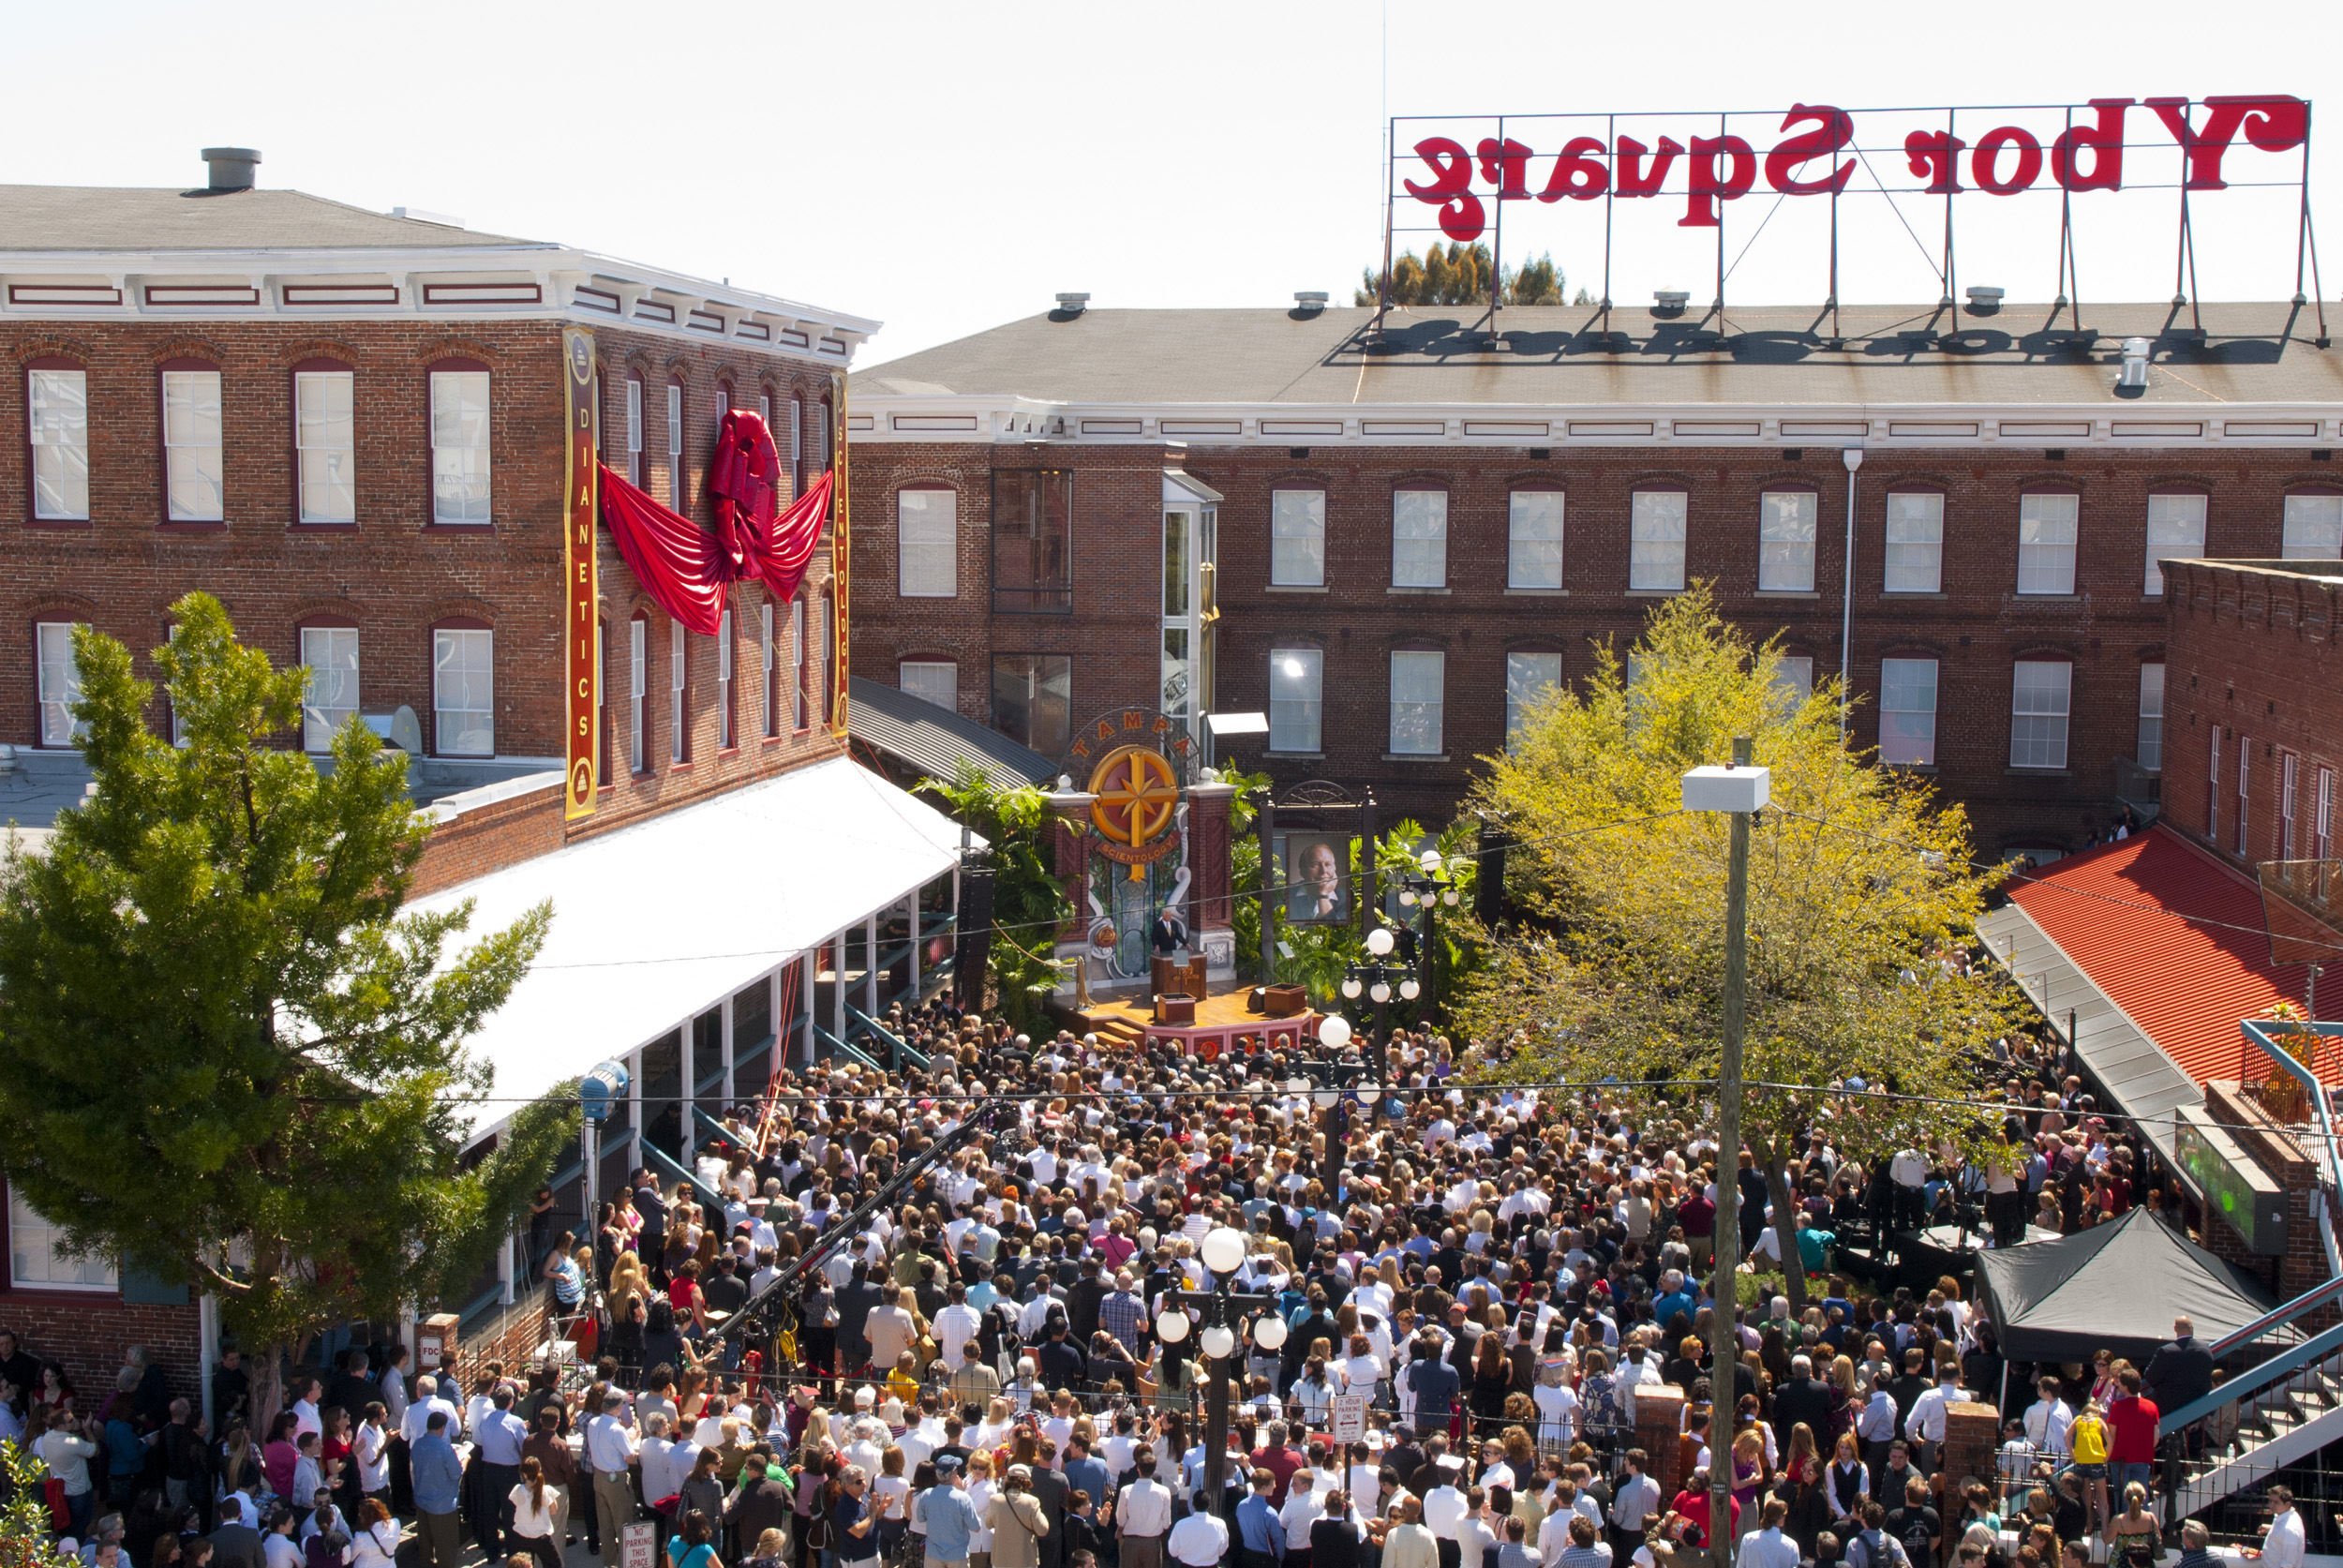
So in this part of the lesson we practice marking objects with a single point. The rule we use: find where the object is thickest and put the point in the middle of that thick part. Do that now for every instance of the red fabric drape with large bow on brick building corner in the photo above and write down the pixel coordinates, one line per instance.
(683, 566)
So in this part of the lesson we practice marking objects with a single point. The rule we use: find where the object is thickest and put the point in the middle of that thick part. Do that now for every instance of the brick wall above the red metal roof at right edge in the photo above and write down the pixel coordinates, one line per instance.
(2253, 653)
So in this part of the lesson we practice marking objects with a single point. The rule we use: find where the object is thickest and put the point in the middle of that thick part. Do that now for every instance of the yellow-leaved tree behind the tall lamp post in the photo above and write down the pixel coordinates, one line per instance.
(1859, 889)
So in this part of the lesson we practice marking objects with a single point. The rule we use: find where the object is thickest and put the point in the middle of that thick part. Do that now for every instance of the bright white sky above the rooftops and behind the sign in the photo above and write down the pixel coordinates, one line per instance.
(950, 168)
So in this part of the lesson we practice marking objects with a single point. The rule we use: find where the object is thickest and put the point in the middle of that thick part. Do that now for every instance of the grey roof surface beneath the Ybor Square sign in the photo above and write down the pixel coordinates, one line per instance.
(1890, 355)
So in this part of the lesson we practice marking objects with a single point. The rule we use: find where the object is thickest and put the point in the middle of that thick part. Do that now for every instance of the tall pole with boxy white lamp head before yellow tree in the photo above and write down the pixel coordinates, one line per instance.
(1740, 791)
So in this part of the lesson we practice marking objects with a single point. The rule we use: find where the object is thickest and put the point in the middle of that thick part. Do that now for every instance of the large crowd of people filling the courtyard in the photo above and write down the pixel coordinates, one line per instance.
(1451, 1300)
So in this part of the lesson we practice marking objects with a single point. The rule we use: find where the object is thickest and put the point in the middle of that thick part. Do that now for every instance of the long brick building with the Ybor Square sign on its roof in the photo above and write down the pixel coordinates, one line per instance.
(1384, 545)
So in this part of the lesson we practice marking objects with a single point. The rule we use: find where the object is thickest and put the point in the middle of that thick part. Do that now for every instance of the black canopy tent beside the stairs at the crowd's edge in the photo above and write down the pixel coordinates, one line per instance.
(2112, 1288)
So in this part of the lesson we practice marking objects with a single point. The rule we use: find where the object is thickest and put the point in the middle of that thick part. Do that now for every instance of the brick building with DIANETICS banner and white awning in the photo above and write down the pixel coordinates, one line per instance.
(350, 428)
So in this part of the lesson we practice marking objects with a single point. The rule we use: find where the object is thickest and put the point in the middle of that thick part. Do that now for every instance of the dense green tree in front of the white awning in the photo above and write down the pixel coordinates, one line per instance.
(226, 1058)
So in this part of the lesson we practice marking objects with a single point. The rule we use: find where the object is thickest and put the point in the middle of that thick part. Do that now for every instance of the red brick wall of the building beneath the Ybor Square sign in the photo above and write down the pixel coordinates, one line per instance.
(1976, 629)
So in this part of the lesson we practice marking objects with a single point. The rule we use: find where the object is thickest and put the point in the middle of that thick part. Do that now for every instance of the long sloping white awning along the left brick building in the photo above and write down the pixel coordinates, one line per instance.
(664, 920)
